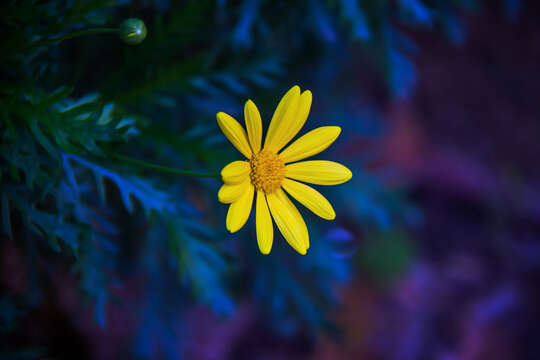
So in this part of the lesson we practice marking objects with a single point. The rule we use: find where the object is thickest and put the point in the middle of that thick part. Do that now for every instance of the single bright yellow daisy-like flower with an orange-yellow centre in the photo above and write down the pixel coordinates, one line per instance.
(268, 171)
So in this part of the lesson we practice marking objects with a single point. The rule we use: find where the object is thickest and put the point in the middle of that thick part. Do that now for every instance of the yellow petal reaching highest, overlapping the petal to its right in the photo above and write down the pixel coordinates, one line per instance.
(283, 120)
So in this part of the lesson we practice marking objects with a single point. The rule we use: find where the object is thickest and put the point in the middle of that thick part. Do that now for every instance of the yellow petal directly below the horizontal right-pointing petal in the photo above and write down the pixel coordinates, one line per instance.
(310, 198)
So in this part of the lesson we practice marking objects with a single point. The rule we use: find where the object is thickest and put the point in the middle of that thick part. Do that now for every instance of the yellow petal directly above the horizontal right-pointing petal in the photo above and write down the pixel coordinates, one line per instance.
(310, 144)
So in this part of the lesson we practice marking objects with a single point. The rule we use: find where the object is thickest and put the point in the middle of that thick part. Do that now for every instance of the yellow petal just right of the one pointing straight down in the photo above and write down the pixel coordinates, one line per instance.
(289, 221)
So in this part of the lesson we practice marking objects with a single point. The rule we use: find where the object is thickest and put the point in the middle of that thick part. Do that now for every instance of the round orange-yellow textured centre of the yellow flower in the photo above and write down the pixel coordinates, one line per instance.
(267, 171)
